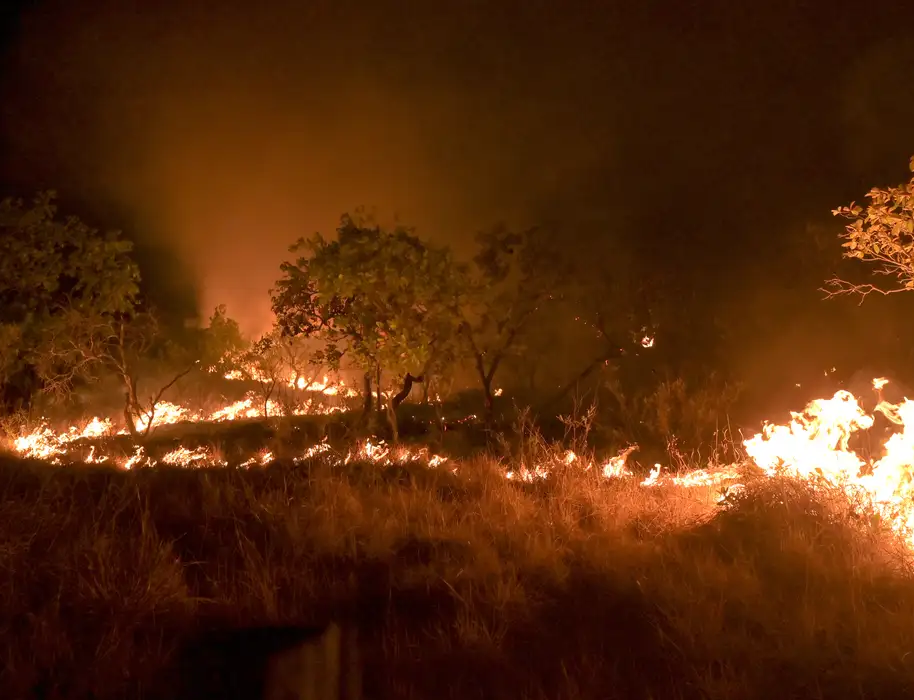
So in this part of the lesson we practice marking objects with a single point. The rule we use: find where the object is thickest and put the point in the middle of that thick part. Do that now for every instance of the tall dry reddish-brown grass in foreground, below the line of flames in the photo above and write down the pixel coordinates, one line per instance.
(463, 586)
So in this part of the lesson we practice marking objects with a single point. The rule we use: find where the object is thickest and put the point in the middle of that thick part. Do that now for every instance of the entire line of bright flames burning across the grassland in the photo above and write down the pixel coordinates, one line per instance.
(814, 446)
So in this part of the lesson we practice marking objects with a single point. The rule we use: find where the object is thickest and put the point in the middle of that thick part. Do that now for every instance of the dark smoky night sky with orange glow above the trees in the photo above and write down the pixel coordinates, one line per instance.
(707, 134)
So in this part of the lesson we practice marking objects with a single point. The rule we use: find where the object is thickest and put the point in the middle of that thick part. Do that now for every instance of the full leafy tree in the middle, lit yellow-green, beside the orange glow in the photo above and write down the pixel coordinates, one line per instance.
(383, 301)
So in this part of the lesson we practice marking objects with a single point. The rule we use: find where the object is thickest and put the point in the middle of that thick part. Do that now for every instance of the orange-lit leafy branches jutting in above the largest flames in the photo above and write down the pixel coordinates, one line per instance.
(881, 234)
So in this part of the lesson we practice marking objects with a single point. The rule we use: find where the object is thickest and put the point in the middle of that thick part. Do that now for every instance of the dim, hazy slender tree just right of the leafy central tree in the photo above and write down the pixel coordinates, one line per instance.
(515, 275)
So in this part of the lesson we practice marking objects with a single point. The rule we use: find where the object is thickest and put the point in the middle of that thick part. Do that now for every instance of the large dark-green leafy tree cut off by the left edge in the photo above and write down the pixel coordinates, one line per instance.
(56, 275)
